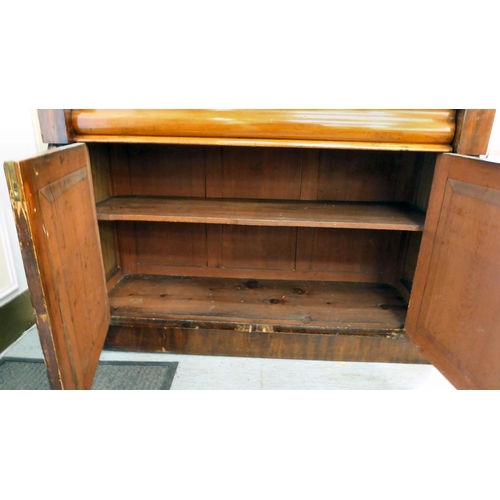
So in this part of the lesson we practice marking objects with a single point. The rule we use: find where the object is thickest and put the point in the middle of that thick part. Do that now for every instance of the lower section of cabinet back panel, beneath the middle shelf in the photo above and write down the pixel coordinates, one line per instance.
(326, 254)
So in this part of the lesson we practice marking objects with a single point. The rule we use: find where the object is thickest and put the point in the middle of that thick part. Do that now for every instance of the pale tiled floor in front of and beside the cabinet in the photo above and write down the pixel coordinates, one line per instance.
(206, 372)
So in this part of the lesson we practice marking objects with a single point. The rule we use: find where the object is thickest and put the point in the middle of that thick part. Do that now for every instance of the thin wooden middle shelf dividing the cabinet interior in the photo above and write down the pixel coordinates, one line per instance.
(389, 216)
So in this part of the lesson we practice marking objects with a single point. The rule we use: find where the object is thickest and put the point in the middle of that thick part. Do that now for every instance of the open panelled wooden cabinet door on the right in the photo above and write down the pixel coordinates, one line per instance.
(454, 312)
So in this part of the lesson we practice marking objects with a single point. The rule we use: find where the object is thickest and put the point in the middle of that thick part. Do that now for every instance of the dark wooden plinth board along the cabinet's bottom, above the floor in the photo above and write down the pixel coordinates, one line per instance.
(383, 347)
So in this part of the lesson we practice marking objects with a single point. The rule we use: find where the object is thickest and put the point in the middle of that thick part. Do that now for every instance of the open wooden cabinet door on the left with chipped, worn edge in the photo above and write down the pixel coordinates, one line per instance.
(53, 202)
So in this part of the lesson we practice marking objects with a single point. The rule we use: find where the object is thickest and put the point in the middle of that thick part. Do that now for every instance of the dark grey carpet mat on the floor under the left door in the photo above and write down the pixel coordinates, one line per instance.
(30, 374)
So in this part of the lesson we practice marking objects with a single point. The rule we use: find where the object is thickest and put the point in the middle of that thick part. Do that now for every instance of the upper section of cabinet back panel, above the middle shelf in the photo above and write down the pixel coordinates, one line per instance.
(263, 173)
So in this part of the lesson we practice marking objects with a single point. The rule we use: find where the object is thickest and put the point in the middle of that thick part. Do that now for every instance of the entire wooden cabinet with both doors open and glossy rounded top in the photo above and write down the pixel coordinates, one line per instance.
(274, 233)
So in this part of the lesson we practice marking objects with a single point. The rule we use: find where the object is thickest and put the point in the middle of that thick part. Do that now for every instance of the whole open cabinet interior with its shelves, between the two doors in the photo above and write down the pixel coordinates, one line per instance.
(260, 238)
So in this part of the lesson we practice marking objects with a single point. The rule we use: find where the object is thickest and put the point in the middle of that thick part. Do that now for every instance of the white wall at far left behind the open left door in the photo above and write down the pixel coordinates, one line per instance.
(19, 138)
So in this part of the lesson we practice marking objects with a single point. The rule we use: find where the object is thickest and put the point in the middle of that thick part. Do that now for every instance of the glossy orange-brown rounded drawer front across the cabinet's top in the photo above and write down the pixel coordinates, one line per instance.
(379, 126)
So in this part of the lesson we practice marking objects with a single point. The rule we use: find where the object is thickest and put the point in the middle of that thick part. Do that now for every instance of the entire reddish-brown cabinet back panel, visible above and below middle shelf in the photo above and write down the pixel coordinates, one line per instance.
(261, 173)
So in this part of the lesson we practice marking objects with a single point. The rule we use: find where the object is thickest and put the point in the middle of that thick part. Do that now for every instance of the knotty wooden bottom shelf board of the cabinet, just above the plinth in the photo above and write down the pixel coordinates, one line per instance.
(242, 304)
